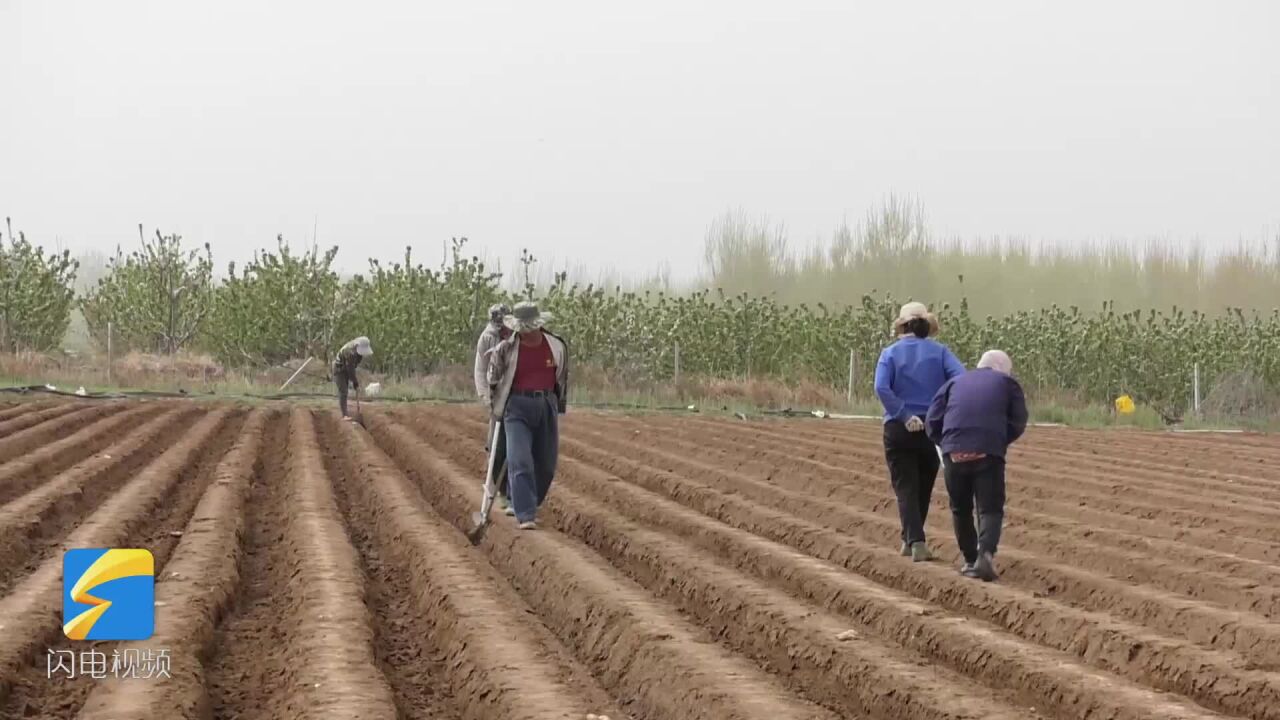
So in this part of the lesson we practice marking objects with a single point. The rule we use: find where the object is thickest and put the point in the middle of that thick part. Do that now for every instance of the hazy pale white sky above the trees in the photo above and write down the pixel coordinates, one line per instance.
(612, 135)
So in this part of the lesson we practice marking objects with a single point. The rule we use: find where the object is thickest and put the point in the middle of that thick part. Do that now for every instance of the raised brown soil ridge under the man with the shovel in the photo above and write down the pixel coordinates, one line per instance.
(641, 650)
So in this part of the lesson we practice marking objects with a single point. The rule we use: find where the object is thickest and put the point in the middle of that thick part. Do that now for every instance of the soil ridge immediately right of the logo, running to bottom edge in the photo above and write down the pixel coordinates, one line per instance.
(195, 593)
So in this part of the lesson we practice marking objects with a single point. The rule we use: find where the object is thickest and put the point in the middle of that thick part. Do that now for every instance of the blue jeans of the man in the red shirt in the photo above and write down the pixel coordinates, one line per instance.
(532, 426)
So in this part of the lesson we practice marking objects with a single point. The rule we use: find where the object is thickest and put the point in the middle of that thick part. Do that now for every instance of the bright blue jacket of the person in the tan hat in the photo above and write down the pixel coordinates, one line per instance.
(909, 375)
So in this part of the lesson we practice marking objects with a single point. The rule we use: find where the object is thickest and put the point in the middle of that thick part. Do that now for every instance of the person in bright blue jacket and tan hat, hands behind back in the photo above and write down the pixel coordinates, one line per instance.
(908, 376)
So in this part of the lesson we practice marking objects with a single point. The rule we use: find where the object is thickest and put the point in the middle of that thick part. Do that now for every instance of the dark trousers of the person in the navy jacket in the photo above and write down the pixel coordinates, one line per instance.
(982, 481)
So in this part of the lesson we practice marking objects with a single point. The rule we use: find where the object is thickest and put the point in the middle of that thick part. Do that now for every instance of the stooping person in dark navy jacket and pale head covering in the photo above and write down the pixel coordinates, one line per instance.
(975, 420)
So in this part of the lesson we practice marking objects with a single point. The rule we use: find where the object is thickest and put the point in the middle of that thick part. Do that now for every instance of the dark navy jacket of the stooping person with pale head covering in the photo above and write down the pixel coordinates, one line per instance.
(981, 412)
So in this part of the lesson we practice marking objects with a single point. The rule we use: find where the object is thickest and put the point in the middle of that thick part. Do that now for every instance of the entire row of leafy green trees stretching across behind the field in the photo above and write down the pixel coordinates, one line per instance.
(285, 304)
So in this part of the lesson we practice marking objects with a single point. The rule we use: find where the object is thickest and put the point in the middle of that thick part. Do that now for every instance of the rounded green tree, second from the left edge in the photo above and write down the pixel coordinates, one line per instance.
(158, 299)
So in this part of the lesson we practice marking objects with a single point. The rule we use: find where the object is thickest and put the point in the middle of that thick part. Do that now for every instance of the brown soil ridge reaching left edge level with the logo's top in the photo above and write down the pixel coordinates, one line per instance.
(31, 523)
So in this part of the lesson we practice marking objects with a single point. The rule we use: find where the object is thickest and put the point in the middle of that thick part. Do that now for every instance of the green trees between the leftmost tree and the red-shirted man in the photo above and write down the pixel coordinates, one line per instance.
(285, 304)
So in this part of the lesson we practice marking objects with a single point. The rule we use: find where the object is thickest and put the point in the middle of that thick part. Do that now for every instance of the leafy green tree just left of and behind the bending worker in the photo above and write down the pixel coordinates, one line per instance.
(281, 306)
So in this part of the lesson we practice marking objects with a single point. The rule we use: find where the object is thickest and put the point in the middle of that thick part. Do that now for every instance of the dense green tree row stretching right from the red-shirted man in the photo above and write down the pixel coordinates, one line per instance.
(1095, 357)
